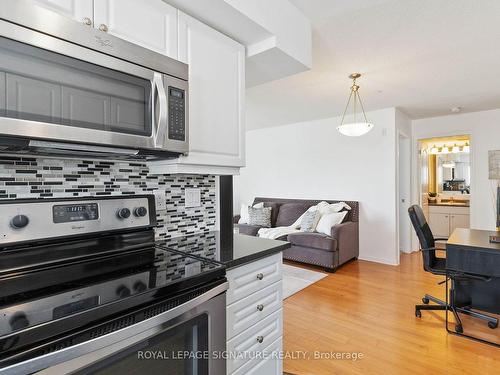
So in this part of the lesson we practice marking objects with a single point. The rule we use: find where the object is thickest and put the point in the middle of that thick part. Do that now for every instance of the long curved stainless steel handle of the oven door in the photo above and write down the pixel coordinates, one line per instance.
(72, 352)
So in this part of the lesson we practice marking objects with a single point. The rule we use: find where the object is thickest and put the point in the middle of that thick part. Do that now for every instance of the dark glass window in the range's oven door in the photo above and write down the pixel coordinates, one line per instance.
(180, 350)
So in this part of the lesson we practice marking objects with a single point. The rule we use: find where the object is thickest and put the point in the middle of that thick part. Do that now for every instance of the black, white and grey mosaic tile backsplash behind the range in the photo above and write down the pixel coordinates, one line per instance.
(28, 177)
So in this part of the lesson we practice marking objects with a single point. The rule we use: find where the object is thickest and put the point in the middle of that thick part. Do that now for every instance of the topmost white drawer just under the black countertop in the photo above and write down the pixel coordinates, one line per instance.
(251, 277)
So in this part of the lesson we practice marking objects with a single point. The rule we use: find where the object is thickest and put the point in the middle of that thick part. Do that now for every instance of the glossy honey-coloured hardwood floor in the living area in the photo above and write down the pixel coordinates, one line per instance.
(368, 308)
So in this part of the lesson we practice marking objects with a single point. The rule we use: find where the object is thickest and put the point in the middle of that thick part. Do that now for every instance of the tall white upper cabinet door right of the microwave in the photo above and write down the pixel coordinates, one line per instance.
(216, 94)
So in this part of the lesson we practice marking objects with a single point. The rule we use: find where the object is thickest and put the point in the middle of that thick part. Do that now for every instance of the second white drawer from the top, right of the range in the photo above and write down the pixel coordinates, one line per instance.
(250, 310)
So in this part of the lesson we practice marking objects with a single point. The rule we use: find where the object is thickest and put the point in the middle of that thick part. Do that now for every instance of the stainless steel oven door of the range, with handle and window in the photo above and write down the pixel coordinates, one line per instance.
(187, 340)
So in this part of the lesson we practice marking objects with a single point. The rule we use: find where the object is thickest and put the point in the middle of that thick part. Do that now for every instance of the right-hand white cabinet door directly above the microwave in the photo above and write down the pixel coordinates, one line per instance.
(148, 23)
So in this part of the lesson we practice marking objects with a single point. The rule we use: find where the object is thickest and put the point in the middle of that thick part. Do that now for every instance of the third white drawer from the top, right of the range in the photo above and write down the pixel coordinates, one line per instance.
(254, 339)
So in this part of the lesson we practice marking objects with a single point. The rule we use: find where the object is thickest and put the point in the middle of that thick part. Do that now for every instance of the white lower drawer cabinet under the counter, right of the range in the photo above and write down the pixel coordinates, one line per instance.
(255, 317)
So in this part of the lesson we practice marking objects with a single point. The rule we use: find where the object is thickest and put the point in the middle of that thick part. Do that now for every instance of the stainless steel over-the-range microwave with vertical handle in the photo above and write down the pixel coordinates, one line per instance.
(55, 90)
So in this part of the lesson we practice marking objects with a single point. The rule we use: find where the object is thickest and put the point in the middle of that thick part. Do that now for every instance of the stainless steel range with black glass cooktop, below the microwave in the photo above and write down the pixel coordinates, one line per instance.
(84, 288)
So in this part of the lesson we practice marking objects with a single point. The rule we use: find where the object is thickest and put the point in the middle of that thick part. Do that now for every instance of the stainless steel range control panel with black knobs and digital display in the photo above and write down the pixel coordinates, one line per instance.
(33, 220)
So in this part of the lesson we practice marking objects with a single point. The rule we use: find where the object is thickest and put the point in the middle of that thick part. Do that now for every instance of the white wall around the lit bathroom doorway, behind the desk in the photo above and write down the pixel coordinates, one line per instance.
(484, 129)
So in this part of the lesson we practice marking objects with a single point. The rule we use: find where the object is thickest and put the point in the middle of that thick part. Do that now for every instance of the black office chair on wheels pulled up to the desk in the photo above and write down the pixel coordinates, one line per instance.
(437, 266)
